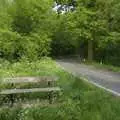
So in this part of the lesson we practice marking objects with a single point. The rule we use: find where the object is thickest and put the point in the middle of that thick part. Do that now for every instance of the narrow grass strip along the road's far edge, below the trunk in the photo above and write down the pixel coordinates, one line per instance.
(104, 66)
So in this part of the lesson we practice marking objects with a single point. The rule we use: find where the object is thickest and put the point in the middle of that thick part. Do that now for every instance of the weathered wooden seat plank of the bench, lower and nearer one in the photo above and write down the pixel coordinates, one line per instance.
(17, 91)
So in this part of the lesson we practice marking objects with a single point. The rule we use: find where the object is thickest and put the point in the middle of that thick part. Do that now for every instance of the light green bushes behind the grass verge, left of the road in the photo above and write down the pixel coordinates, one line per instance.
(13, 46)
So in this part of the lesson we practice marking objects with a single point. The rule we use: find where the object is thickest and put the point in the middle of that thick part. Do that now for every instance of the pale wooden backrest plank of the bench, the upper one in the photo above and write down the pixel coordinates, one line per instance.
(30, 79)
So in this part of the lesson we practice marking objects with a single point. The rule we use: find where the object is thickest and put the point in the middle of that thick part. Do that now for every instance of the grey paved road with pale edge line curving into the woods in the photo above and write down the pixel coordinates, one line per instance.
(107, 80)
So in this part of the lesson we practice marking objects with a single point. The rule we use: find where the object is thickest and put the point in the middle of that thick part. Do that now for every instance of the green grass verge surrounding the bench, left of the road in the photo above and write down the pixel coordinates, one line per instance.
(78, 101)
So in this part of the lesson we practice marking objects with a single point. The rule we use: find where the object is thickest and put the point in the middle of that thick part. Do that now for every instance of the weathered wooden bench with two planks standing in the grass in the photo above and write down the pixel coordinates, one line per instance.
(20, 80)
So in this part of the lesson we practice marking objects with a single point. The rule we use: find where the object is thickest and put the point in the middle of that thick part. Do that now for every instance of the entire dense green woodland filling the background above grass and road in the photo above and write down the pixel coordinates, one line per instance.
(32, 29)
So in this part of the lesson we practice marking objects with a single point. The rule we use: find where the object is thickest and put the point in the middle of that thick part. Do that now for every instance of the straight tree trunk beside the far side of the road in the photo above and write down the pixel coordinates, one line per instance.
(90, 50)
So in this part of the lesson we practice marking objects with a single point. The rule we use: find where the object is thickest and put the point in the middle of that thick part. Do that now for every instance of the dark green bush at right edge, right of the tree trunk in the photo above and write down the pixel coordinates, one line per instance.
(108, 50)
